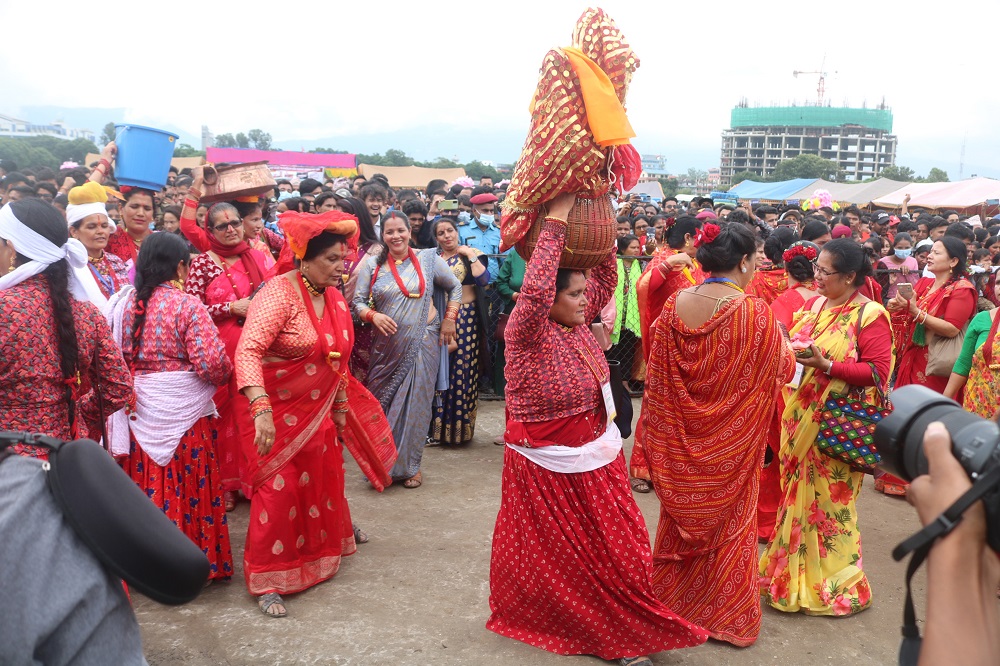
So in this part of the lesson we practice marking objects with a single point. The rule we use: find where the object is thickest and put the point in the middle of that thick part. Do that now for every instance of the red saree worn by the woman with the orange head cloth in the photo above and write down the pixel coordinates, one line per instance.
(300, 524)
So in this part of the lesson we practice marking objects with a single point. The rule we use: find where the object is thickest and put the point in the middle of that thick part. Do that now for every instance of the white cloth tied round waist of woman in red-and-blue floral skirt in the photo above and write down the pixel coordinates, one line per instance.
(167, 405)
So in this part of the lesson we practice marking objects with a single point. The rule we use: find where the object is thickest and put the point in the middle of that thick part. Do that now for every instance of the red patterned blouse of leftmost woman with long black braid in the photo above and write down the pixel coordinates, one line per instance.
(32, 391)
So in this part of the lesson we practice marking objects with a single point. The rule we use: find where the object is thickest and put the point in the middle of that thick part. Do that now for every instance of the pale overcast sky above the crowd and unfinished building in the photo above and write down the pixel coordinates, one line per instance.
(311, 70)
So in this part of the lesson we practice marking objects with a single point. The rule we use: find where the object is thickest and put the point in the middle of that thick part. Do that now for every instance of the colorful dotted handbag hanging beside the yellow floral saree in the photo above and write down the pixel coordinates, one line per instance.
(847, 429)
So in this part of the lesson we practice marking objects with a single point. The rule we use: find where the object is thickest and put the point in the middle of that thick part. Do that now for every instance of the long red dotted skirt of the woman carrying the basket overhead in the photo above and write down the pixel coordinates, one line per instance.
(570, 570)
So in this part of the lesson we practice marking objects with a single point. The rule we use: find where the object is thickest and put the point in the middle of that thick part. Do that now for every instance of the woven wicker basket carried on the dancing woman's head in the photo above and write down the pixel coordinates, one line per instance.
(590, 234)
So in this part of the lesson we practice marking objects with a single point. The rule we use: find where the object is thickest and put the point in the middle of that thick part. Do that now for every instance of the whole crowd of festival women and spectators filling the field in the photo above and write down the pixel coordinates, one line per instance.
(229, 352)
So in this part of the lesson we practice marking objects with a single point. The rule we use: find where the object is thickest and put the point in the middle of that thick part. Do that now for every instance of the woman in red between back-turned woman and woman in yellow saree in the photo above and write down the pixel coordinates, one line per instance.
(798, 261)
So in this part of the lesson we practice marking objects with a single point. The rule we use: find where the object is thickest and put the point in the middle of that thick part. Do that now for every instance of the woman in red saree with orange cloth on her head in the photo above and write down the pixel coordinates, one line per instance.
(291, 363)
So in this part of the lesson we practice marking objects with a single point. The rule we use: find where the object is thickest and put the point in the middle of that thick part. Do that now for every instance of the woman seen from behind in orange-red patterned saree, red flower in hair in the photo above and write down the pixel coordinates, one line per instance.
(718, 359)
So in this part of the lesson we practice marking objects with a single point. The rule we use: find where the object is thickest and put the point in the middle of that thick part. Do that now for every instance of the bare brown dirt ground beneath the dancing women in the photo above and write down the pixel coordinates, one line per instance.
(417, 593)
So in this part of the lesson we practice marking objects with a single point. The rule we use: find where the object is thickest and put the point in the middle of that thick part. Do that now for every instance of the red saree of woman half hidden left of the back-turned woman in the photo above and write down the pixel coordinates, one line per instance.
(652, 291)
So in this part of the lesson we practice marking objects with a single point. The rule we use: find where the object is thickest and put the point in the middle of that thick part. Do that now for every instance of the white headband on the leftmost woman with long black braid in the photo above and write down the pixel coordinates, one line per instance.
(43, 254)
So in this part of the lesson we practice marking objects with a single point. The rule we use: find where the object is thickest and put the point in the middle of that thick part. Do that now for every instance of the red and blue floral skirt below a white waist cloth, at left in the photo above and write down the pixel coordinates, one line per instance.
(189, 491)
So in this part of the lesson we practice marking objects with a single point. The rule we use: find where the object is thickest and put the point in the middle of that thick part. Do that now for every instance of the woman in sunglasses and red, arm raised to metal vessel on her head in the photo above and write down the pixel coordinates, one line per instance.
(224, 277)
